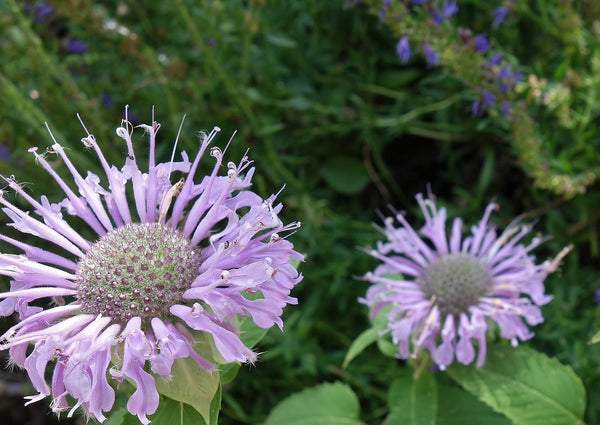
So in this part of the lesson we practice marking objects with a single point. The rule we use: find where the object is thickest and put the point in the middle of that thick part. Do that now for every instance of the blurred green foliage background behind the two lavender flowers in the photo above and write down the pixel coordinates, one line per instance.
(316, 92)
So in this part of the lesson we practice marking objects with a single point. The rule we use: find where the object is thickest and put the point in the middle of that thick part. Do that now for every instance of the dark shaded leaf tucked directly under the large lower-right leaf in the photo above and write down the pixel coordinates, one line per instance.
(456, 406)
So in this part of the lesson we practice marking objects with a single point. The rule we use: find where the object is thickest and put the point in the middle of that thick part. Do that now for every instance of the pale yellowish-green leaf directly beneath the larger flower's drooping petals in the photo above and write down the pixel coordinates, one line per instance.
(191, 384)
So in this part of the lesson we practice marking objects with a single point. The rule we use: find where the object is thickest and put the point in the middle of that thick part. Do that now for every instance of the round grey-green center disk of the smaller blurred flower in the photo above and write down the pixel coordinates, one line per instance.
(457, 281)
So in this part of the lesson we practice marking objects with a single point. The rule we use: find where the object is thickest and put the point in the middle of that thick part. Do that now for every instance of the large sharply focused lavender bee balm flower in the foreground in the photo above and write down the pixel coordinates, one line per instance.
(169, 256)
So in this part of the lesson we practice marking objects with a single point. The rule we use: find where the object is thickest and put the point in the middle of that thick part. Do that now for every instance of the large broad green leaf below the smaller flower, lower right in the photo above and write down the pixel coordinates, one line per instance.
(526, 386)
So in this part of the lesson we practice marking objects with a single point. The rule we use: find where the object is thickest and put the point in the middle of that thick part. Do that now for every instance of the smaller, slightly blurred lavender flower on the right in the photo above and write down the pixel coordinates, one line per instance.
(439, 290)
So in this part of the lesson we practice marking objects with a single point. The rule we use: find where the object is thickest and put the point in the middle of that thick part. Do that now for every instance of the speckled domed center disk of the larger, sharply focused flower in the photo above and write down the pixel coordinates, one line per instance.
(139, 269)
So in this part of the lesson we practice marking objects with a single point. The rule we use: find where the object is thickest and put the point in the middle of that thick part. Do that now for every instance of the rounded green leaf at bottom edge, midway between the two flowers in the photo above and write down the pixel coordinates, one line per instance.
(326, 404)
